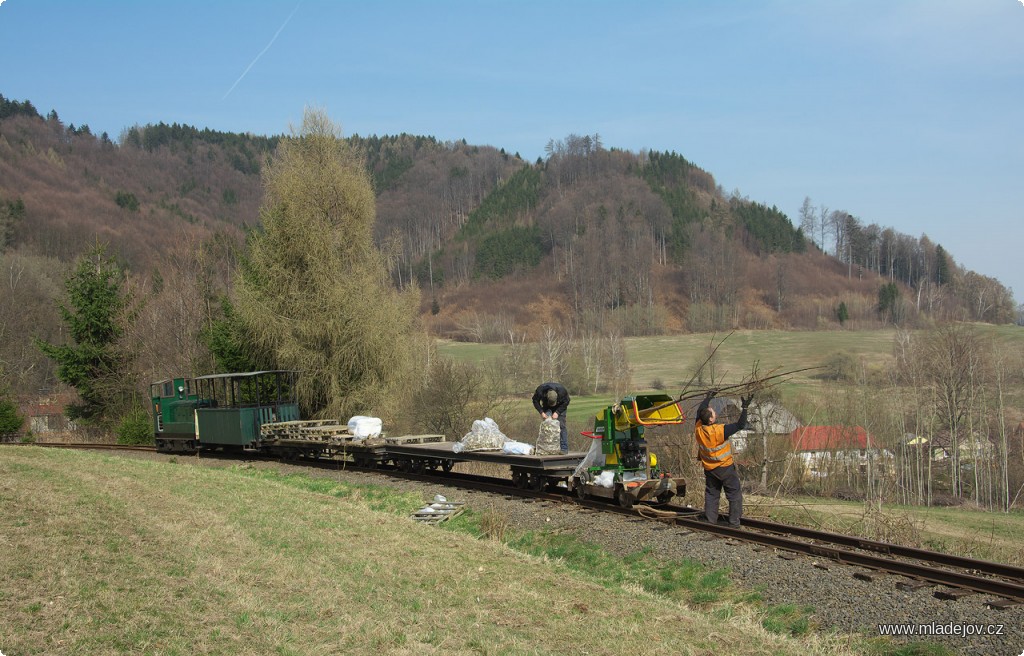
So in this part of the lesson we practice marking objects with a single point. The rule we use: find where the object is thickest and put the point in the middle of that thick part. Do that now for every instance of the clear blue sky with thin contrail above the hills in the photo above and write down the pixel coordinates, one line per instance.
(907, 114)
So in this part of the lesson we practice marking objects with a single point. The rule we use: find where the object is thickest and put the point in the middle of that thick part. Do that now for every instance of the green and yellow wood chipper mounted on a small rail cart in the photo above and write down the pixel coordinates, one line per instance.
(619, 465)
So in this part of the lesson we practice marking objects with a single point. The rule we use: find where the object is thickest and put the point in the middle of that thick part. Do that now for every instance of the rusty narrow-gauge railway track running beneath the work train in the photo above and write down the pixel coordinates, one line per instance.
(1003, 581)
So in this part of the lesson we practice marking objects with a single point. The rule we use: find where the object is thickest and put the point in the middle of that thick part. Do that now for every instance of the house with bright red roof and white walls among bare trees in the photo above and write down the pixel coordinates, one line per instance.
(828, 450)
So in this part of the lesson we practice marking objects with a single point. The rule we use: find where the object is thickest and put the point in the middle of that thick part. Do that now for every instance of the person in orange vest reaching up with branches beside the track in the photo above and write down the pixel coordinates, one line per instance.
(715, 454)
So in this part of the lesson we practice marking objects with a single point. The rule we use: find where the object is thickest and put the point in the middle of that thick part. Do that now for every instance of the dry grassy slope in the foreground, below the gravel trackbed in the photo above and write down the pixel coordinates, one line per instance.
(110, 556)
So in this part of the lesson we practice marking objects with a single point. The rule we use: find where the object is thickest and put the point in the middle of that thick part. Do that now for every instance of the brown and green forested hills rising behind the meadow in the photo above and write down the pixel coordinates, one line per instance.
(587, 240)
